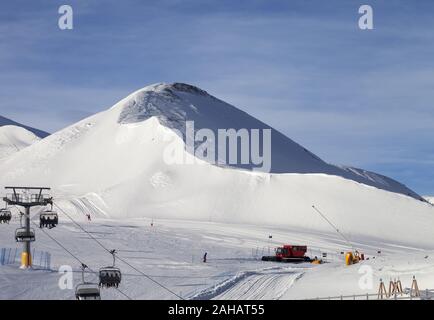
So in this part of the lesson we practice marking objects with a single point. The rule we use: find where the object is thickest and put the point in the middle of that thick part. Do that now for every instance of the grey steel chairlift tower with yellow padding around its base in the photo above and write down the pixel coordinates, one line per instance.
(27, 197)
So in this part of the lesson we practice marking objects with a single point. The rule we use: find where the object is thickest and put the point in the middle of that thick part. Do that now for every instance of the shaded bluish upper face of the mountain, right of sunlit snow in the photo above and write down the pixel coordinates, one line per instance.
(174, 104)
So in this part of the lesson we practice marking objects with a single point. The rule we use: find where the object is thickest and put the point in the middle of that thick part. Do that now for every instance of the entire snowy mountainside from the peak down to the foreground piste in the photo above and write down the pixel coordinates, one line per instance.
(112, 166)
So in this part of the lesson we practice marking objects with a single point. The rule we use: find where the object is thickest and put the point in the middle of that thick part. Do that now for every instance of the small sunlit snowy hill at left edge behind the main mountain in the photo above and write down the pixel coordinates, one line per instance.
(14, 139)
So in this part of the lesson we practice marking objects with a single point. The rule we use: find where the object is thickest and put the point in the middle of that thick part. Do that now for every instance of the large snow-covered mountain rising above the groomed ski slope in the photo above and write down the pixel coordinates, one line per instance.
(117, 157)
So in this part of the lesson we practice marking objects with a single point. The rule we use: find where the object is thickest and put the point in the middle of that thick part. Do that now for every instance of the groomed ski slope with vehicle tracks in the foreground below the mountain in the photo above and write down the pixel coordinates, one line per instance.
(171, 253)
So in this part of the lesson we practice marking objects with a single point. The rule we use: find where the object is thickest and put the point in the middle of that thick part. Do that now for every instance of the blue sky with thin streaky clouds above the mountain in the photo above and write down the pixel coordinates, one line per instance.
(362, 98)
